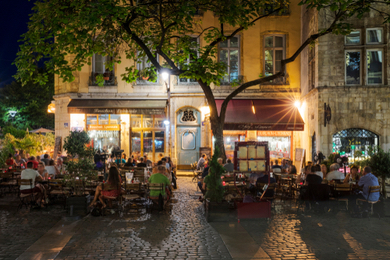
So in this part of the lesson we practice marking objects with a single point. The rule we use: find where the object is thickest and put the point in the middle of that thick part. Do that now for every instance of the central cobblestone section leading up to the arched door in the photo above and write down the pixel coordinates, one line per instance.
(182, 233)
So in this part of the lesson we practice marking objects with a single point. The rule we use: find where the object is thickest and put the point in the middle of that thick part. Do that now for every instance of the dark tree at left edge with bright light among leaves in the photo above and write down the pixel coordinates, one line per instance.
(30, 102)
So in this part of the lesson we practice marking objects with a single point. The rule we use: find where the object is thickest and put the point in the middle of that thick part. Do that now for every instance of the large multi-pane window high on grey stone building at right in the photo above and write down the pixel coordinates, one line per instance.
(373, 57)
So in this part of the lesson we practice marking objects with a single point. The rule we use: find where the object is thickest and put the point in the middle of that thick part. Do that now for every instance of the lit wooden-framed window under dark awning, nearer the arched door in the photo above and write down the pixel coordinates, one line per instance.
(147, 135)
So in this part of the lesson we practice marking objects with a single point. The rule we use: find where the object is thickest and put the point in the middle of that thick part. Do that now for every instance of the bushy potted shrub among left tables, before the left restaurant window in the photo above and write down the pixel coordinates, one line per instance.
(82, 167)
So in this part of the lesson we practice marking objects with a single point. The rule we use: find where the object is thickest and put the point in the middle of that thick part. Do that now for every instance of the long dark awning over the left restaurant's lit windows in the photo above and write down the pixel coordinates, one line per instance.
(117, 106)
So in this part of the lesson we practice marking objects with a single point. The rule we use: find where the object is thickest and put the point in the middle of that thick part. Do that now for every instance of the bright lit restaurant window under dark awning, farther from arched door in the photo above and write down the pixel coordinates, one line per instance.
(104, 130)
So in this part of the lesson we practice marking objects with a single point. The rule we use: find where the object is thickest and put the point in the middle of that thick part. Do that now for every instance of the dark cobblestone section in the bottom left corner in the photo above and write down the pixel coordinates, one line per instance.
(20, 229)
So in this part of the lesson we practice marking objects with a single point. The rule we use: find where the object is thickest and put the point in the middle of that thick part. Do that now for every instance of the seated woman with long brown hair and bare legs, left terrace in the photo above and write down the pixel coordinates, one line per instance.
(114, 180)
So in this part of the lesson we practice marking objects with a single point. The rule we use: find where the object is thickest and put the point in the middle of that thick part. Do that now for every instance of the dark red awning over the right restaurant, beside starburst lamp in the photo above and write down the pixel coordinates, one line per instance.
(270, 114)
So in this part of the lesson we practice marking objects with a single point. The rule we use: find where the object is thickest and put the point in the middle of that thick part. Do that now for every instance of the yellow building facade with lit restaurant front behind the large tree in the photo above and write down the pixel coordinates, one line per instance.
(146, 117)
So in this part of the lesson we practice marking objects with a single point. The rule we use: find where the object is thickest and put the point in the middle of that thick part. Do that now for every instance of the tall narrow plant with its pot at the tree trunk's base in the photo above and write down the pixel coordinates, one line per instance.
(216, 208)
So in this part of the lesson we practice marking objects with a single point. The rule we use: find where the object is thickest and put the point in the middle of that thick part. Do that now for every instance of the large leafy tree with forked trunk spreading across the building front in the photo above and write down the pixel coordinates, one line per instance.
(149, 28)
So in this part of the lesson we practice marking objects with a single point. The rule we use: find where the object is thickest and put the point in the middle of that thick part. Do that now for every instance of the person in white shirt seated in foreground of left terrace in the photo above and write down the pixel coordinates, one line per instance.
(27, 174)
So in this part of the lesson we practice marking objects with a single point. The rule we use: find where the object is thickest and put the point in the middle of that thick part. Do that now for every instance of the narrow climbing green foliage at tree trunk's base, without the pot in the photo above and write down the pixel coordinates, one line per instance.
(215, 190)
